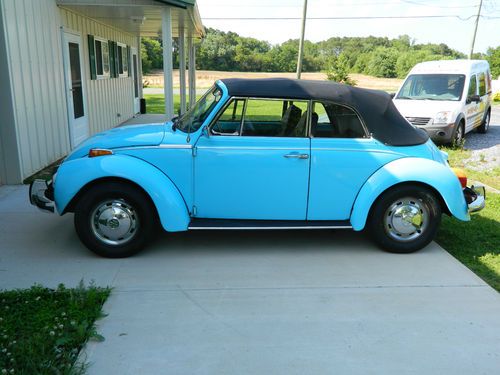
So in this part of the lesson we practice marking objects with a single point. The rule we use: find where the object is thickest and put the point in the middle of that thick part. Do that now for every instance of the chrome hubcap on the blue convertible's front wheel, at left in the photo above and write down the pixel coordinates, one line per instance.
(114, 222)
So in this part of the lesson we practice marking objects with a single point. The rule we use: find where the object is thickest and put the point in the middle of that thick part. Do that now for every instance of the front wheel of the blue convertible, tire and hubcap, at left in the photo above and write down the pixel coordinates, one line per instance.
(115, 220)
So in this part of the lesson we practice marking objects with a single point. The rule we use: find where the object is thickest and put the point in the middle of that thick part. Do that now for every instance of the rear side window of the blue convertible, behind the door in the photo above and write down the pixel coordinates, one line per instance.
(330, 120)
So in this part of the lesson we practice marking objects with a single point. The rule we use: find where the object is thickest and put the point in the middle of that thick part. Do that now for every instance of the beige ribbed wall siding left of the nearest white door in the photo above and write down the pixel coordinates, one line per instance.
(34, 55)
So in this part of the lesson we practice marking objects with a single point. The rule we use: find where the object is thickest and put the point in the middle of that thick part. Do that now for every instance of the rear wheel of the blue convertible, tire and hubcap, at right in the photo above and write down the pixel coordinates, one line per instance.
(404, 219)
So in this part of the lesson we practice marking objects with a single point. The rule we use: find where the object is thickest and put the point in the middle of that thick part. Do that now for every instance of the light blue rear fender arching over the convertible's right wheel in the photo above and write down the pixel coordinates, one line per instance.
(426, 171)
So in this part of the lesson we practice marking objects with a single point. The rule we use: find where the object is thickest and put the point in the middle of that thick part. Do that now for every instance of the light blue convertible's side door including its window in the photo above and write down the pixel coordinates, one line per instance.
(253, 162)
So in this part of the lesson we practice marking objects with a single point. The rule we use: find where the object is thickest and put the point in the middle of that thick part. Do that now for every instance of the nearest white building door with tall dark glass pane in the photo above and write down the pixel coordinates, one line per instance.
(75, 88)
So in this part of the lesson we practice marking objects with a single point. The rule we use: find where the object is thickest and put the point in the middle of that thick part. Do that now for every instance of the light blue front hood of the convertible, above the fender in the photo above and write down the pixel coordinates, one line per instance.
(124, 136)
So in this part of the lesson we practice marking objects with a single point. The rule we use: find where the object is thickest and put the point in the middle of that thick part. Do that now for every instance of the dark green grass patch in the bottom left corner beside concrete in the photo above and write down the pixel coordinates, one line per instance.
(43, 330)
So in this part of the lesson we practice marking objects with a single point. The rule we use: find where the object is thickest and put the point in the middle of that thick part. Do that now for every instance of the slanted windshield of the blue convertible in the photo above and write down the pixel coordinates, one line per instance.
(194, 118)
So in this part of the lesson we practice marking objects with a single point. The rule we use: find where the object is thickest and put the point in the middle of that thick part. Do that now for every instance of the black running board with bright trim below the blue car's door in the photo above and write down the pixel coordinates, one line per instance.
(212, 224)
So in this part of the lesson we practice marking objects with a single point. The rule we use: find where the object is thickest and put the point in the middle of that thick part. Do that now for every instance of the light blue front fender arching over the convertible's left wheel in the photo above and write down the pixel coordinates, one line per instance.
(73, 175)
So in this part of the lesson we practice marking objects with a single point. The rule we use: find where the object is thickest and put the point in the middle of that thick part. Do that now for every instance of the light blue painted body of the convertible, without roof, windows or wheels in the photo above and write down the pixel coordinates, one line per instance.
(197, 175)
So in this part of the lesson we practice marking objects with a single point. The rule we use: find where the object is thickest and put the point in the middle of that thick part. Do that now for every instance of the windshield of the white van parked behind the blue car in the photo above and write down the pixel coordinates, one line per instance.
(433, 87)
